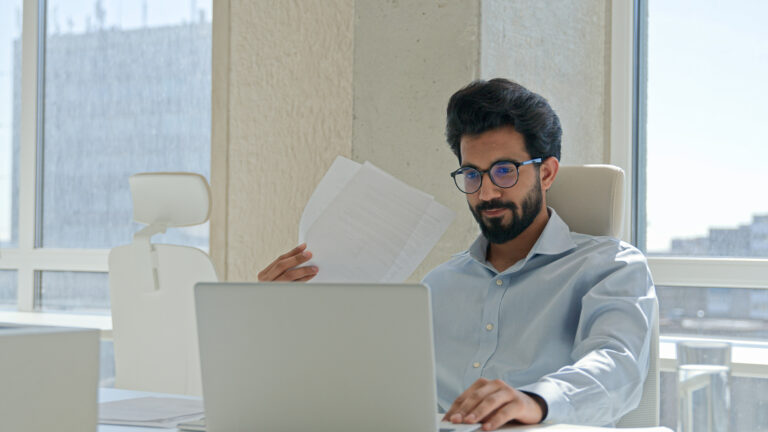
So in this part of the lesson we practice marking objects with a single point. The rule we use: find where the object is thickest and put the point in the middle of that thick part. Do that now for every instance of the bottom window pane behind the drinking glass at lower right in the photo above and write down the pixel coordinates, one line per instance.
(749, 402)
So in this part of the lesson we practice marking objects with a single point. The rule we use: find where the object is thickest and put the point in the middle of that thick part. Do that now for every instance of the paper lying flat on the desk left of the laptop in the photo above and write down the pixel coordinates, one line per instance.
(150, 411)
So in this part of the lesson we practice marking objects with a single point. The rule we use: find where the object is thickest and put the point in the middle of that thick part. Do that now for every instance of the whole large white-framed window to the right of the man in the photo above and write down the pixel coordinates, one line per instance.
(700, 157)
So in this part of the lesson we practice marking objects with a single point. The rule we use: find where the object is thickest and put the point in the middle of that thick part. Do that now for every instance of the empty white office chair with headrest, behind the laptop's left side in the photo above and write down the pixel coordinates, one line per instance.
(151, 287)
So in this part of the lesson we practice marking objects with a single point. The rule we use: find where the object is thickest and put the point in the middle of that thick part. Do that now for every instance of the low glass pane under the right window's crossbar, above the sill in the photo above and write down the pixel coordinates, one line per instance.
(717, 312)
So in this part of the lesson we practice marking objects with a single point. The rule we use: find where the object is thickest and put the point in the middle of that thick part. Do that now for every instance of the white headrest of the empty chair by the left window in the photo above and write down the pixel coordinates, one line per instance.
(172, 199)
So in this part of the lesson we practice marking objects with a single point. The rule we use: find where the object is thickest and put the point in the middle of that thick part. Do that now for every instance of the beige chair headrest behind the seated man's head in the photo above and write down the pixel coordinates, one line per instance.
(589, 198)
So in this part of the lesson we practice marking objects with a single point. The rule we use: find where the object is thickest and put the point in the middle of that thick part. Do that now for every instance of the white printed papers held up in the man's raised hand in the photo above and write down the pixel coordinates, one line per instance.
(363, 225)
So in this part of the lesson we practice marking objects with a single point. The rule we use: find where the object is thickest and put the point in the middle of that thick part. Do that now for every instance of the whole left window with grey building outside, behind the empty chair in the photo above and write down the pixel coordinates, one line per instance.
(101, 89)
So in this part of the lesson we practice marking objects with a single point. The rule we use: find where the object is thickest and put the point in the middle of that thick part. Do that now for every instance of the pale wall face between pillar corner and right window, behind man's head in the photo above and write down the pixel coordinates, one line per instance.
(559, 49)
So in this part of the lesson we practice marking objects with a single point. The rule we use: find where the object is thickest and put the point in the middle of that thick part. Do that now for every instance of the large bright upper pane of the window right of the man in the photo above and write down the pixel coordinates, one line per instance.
(706, 153)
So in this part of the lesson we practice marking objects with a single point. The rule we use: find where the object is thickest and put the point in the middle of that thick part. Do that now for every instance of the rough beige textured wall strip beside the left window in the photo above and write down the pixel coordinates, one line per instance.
(290, 114)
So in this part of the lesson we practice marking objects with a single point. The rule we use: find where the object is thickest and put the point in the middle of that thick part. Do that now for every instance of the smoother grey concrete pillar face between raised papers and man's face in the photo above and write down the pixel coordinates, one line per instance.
(409, 58)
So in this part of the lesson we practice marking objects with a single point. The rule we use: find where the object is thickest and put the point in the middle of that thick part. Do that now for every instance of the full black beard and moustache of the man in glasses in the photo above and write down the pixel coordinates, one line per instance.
(495, 231)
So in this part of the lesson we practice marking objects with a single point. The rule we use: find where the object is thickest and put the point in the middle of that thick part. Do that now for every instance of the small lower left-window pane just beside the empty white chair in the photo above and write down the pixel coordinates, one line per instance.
(74, 292)
